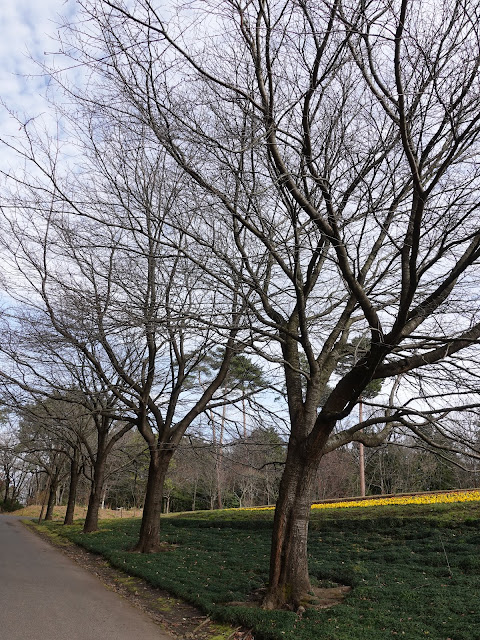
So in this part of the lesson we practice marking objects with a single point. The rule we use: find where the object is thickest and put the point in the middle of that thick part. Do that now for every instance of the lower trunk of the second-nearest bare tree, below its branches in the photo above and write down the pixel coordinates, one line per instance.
(149, 540)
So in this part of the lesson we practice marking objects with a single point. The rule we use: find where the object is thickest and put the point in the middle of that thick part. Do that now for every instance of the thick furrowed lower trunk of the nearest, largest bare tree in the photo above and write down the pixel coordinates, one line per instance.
(289, 579)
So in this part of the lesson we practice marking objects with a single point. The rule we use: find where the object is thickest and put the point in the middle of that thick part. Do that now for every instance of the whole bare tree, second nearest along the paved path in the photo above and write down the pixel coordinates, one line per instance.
(109, 273)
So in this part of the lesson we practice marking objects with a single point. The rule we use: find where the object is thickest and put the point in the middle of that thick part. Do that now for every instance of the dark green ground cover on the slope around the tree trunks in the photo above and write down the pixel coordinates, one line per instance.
(414, 569)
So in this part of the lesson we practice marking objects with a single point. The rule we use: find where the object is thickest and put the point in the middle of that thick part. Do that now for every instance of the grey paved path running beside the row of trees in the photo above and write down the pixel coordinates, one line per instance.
(45, 596)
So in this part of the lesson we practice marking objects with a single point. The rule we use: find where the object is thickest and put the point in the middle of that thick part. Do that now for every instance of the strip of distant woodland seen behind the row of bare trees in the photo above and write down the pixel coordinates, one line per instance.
(35, 468)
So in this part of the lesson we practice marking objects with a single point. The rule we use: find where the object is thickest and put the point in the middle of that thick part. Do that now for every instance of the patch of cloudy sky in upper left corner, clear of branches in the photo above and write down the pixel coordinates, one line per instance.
(27, 32)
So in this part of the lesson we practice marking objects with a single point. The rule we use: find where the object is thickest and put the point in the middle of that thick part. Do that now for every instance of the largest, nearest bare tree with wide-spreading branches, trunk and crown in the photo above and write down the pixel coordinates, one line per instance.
(336, 145)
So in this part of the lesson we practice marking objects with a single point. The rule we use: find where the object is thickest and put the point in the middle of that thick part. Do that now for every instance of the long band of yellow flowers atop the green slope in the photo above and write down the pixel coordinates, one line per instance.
(433, 498)
